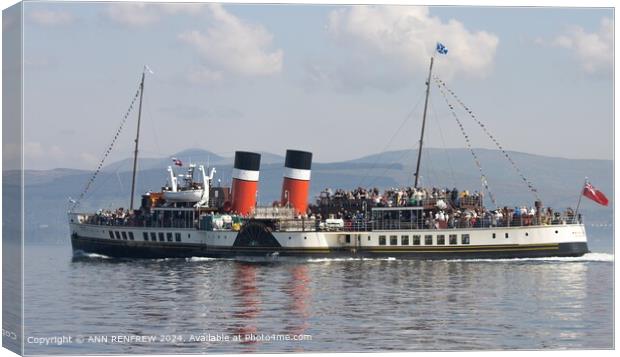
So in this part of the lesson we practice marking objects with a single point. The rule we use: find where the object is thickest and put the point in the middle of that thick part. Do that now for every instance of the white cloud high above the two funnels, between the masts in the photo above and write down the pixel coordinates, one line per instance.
(233, 46)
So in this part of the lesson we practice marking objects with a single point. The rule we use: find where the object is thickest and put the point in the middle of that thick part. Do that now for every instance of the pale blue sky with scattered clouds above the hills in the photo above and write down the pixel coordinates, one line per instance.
(339, 81)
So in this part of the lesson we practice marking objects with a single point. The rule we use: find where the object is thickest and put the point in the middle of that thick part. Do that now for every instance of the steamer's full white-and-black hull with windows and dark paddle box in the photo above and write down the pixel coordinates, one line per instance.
(256, 239)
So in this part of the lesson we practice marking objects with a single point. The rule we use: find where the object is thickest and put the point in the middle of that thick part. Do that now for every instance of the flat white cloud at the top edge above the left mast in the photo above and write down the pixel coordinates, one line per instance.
(144, 14)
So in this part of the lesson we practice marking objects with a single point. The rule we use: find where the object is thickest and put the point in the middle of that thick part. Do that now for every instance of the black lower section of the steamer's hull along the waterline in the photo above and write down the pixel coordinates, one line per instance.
(136, 249)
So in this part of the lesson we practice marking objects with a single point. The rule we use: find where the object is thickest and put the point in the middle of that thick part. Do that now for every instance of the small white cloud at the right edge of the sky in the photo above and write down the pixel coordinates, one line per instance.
(593, 50)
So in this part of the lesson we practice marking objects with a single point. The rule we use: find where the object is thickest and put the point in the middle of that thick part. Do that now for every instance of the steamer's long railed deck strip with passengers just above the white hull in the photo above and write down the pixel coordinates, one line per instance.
(409, 218)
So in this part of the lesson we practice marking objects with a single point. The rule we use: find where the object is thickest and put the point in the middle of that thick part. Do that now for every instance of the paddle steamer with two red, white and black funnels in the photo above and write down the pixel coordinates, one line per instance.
(190, 217)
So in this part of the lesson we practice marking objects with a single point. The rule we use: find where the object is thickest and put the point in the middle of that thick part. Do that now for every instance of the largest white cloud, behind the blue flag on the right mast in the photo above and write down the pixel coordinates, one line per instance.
(392, 42)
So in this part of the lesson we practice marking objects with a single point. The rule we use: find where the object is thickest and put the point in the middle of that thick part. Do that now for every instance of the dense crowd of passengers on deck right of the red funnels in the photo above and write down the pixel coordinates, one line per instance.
(445, 208)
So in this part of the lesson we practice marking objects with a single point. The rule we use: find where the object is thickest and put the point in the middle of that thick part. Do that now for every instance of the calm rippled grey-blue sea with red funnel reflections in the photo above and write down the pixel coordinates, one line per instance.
(208, 305)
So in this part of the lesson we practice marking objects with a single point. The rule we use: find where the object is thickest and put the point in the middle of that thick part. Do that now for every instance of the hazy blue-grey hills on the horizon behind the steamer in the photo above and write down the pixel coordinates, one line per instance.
(557, 180)
